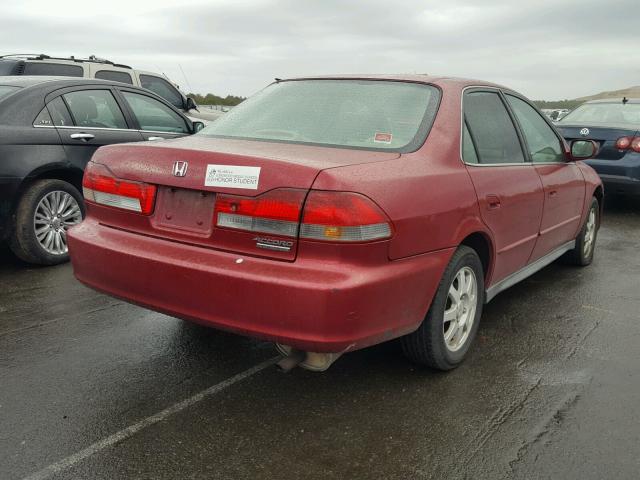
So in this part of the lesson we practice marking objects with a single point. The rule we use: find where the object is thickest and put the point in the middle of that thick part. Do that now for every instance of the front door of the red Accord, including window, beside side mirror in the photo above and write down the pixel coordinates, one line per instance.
(564, 185)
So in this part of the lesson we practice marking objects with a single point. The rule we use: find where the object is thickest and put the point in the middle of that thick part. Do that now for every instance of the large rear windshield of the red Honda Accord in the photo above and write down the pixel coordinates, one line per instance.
(362, 114)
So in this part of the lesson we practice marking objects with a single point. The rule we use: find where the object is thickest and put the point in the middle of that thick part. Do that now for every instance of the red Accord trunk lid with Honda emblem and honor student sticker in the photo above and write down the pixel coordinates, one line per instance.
(190, 173)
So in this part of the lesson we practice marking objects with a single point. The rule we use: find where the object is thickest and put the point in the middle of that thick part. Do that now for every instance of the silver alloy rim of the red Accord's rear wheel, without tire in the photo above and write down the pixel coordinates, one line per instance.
(460, 311)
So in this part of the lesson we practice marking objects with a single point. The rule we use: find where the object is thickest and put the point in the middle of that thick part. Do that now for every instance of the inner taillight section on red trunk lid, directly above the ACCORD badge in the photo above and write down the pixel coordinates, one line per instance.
(276, 212)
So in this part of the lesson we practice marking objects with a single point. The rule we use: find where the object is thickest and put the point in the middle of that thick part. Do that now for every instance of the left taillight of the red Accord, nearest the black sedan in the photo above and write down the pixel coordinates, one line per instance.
(99, 185)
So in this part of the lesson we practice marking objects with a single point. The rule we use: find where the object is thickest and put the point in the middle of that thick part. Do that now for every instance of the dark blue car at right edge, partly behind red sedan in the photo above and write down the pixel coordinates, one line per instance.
(614, 124)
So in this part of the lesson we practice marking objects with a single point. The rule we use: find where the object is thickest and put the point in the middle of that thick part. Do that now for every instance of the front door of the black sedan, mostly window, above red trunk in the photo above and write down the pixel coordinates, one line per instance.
(155, 119)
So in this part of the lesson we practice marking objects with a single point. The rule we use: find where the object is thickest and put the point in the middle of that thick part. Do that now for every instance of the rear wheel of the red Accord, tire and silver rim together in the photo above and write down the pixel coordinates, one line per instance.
(446, 333)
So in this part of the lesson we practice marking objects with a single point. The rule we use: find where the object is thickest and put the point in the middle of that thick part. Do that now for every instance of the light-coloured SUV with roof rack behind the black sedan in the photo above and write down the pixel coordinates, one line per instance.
(102, 69)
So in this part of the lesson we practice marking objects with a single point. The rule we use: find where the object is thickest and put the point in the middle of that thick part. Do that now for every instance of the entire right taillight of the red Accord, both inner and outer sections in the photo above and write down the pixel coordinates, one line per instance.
(329, 216)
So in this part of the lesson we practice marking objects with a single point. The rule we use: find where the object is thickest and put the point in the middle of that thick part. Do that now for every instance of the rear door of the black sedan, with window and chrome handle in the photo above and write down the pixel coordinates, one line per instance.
(88, 118)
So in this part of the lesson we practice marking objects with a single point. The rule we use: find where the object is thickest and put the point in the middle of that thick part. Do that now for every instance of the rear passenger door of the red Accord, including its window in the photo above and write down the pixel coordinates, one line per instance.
(508, 187)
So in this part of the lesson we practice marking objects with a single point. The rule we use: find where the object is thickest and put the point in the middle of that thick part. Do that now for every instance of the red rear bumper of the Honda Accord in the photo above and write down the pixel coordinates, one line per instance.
(309, 304)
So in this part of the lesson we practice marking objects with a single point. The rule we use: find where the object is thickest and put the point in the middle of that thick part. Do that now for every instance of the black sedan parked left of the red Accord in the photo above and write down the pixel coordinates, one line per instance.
(49, 128)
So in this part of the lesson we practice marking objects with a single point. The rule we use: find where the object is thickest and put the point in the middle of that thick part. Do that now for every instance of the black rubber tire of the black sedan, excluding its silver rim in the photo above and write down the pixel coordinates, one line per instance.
(23, 240)
